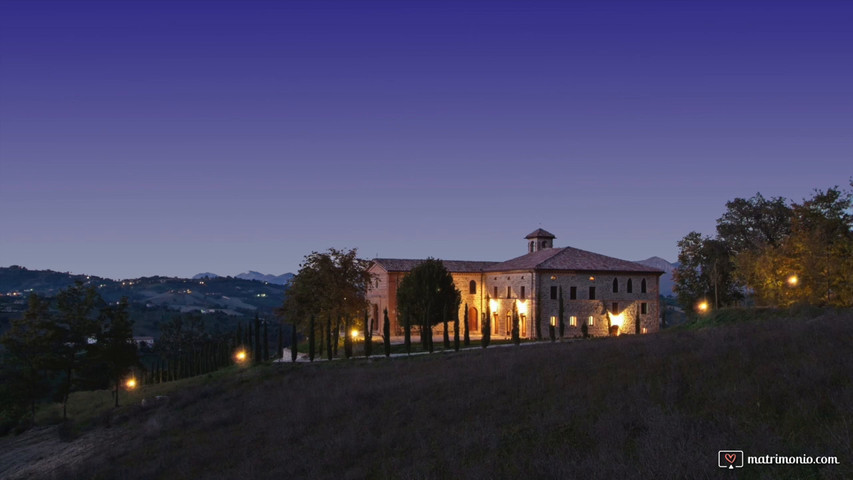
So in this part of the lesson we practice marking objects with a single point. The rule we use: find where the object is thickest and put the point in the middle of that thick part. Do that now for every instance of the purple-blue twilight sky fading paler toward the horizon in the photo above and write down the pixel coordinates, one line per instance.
(172, 138)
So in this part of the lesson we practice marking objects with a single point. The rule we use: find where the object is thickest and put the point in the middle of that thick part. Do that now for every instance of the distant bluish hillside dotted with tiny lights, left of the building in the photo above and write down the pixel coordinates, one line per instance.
(225, 300)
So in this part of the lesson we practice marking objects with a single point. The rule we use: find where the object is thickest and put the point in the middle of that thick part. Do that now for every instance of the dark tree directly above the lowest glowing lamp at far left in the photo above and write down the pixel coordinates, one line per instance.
(115, 343)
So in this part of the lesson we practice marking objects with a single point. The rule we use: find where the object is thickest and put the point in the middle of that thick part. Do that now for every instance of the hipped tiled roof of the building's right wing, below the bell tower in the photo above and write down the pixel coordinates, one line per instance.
(569, 258)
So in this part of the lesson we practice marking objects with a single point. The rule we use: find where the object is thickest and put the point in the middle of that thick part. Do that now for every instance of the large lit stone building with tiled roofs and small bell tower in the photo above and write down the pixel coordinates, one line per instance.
(607, 294)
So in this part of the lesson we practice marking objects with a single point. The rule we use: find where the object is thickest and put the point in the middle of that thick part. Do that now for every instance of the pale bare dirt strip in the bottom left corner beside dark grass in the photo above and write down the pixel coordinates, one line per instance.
(38, 452)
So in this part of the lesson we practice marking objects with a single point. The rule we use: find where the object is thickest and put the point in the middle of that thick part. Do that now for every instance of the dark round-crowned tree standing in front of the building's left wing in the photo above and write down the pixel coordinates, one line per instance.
(427, 293)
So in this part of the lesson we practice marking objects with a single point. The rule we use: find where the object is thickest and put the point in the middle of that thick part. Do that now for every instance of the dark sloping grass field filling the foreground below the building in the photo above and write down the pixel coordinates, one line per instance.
(655, 406)
